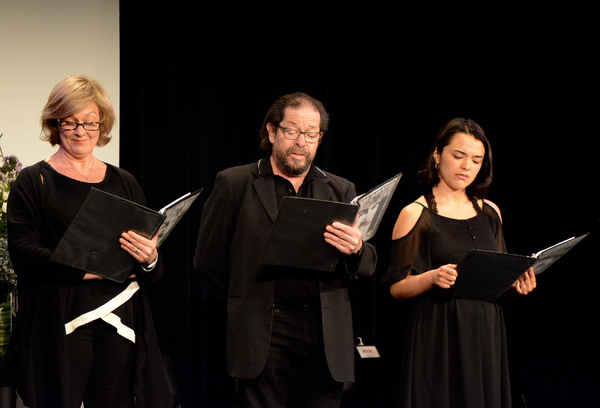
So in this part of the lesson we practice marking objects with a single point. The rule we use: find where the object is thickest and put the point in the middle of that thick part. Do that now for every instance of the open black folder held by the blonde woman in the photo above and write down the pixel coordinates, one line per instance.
(91, 243)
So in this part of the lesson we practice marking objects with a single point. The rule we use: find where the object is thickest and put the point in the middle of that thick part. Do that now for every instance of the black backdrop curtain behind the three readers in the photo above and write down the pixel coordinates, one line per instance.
(197, 82)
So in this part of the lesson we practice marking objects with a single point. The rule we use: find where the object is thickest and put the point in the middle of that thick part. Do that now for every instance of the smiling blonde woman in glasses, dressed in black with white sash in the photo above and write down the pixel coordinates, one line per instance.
(79, 337)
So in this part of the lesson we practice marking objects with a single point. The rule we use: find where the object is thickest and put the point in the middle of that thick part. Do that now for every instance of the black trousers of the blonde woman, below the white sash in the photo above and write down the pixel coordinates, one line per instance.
(101, 365)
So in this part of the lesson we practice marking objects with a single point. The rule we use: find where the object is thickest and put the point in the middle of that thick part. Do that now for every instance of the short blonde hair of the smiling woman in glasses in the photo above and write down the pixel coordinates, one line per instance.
(70, 96)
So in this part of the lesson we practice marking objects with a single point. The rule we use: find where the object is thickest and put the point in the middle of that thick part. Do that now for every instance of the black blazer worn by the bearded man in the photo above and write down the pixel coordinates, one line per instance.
(235, 227)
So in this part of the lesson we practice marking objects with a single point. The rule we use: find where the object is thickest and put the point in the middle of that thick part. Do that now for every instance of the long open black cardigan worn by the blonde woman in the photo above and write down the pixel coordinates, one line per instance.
(34, 361)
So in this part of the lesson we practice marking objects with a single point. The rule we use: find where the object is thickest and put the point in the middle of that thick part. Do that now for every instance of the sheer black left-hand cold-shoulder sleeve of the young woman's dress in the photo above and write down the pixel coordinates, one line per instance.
(411, 252)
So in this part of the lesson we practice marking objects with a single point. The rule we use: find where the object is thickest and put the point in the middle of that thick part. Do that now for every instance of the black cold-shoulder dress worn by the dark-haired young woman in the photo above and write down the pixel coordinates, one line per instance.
(455, 351)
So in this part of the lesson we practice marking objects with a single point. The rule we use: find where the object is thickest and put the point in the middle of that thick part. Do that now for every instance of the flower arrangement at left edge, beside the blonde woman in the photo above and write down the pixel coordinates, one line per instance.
(11, 166)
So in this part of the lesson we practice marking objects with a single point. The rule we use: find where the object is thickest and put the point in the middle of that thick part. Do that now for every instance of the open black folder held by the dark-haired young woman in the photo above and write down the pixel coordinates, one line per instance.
(486, 275)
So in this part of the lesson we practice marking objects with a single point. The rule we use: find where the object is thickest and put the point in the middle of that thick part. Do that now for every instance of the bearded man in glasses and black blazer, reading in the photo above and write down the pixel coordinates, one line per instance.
(289, 330)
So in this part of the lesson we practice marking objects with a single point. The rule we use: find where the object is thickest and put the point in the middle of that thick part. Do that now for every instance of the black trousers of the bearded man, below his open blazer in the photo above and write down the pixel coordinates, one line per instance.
(296, 374)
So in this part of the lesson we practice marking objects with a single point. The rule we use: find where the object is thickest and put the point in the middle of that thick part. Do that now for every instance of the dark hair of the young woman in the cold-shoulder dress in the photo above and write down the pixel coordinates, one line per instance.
(428, 174)
